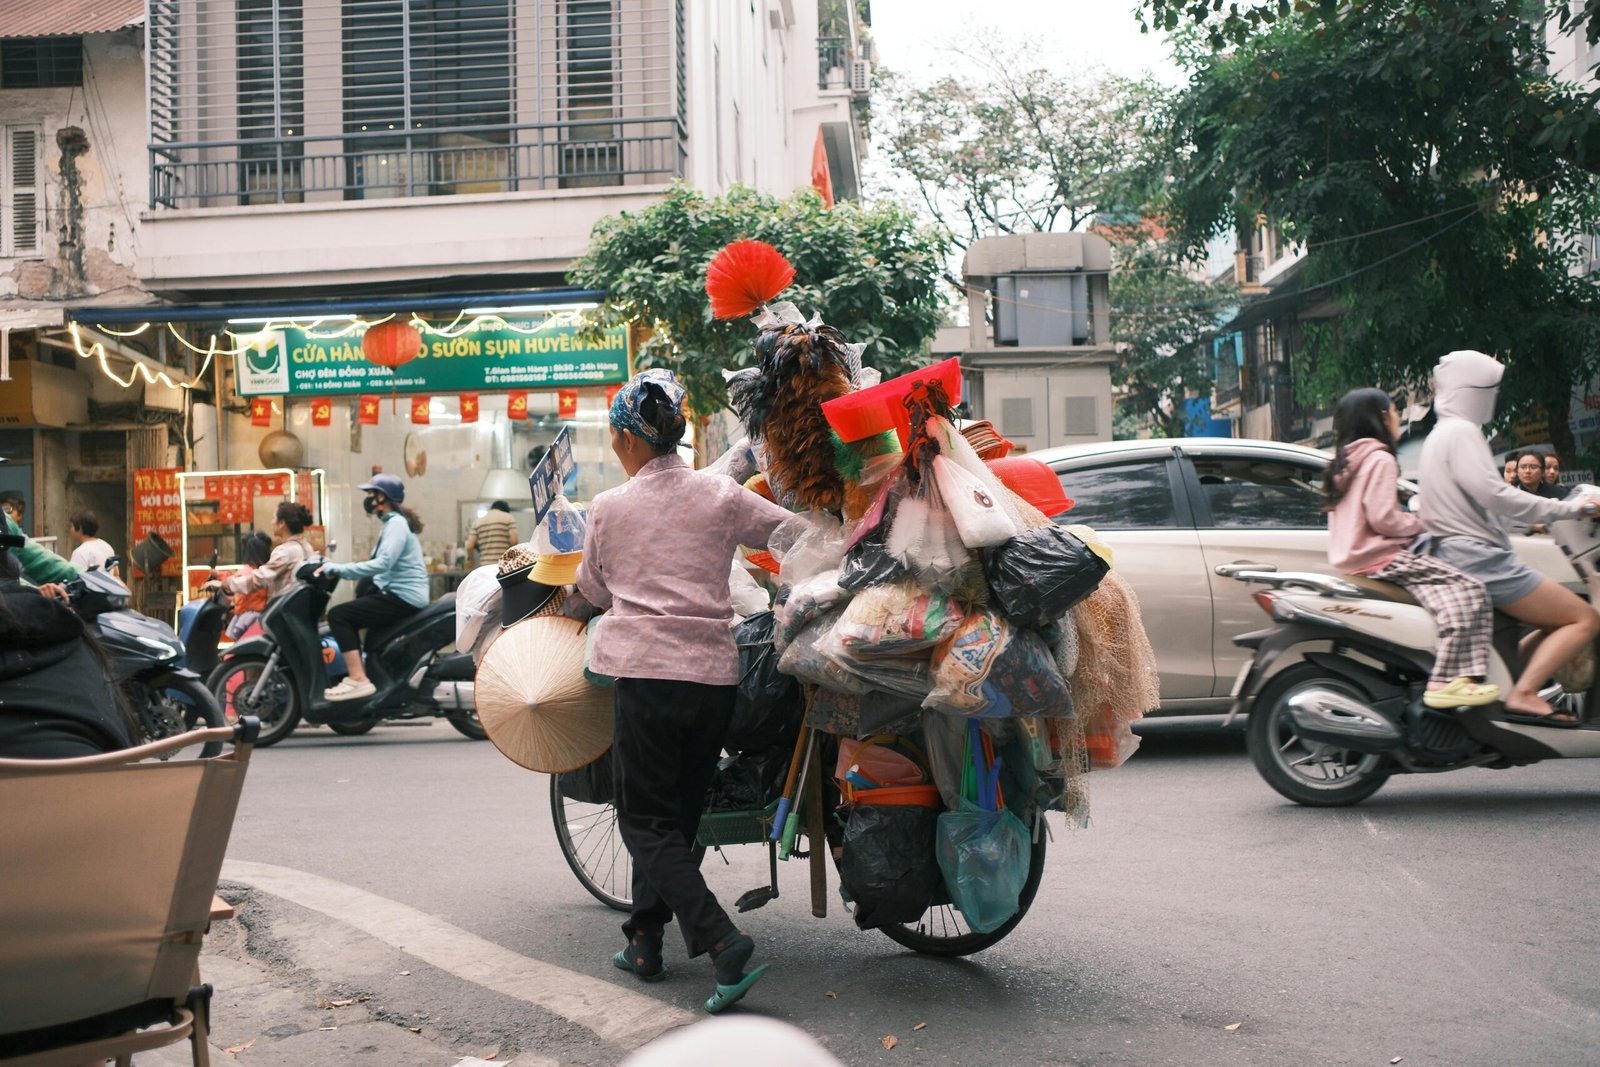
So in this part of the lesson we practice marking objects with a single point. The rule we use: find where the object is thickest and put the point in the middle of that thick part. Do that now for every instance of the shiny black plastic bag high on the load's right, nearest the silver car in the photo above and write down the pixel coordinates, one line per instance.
(1041, 573)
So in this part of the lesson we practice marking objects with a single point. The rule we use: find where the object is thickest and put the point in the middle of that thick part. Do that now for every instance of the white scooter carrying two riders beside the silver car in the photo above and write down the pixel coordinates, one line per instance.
(1330, 730)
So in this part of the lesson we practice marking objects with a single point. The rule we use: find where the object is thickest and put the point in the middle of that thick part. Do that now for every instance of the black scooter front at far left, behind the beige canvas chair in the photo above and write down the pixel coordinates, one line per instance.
(146, 660)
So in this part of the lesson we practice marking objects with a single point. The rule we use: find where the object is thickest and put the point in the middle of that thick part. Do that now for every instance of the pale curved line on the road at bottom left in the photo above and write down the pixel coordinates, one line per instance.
(617, 1015)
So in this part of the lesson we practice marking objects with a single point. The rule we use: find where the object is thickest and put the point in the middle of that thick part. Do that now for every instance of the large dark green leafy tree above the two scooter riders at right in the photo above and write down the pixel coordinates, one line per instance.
(1431, 217)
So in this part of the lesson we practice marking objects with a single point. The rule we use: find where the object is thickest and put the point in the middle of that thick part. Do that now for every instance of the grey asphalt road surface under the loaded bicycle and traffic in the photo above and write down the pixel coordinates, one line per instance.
(1201, 919)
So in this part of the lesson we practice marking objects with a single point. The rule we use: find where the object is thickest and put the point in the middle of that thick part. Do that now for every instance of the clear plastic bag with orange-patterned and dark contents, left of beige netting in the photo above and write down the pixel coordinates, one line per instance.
(994, 669)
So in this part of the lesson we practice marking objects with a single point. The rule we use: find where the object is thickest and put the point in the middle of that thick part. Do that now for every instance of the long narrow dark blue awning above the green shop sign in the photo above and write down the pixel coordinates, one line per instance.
(450, 303)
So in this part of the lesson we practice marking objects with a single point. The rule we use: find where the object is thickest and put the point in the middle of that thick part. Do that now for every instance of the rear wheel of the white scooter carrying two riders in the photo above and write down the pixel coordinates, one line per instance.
(1310, 773)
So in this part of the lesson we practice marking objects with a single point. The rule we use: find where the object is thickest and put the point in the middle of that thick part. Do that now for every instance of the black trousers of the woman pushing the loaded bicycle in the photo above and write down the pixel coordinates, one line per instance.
(668, 741)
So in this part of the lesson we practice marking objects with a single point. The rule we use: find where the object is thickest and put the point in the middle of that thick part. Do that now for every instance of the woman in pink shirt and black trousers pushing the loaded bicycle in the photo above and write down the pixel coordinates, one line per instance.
(657, 556)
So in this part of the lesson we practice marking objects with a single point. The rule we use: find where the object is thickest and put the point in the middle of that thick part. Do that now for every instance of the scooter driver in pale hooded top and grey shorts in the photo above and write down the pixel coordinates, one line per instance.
(1466, 505)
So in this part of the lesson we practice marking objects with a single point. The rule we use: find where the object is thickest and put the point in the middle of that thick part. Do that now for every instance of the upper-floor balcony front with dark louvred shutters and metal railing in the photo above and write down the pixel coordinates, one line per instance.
(286, 102)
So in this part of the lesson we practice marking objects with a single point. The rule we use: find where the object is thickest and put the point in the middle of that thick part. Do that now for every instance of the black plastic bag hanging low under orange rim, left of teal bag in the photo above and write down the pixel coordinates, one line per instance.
(889, 868)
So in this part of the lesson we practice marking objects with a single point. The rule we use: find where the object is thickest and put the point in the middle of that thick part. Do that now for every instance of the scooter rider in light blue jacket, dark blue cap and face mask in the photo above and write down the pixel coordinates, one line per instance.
(399, 578)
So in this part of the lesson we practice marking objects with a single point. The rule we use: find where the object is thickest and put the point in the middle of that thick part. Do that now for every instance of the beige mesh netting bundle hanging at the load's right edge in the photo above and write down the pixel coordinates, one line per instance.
(1116, 681)
